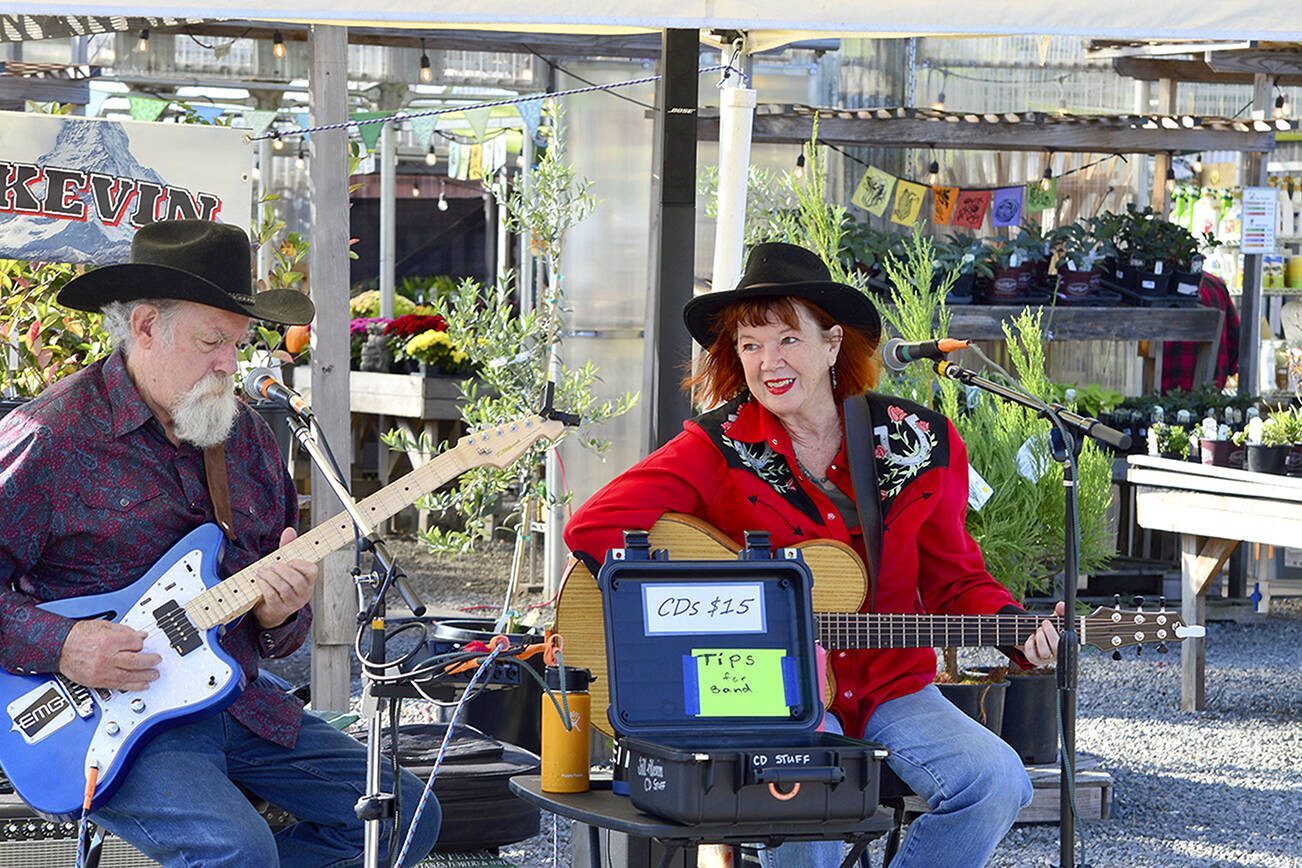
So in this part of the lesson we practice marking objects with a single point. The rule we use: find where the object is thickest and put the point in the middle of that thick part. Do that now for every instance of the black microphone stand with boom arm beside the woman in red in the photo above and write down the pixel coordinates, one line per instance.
(1066, 448)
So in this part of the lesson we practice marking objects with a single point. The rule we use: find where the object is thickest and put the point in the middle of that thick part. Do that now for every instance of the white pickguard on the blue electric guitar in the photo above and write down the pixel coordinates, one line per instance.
(184, 683)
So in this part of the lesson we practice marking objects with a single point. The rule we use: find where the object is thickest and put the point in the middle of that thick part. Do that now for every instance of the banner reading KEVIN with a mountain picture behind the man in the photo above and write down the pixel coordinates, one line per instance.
(76, 189)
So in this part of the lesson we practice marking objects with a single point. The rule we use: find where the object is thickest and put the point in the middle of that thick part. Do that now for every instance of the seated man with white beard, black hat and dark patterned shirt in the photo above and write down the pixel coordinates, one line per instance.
(100, 477)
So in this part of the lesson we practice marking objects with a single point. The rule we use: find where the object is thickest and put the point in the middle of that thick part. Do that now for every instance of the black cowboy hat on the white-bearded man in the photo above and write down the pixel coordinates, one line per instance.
(193, 261)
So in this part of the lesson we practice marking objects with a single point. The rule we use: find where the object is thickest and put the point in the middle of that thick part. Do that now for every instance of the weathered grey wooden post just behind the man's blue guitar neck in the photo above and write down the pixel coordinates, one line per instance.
(334, 603)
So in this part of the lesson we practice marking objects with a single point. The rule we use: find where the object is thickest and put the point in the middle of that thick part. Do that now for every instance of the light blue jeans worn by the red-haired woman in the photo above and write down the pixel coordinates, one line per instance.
(973, 781)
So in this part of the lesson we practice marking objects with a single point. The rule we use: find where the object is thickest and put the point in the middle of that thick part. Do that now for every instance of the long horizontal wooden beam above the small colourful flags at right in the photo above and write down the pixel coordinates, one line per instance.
(1027, 136)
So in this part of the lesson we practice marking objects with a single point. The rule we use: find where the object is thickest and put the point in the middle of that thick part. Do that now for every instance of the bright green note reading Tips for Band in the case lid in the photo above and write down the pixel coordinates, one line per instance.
(740, 683)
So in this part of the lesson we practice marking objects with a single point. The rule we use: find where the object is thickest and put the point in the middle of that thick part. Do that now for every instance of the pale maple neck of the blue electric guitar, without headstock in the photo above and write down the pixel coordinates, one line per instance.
(239, 594)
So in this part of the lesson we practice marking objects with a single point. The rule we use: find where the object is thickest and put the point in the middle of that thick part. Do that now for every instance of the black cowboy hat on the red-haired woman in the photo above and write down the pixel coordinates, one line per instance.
(775, 270)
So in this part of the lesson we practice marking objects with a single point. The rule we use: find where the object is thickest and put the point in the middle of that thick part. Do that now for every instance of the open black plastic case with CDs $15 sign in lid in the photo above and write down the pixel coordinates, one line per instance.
(686, 685)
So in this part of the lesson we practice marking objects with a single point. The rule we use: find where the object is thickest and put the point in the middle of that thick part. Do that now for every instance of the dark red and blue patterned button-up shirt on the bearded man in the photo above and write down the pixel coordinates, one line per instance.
(93, 494)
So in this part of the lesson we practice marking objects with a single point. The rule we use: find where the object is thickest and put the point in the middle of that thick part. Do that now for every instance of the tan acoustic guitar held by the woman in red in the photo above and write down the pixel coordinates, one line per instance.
(840, 589)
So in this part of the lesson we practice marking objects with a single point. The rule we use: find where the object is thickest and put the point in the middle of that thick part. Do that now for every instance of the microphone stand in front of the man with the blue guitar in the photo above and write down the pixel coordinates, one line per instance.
(374, 807)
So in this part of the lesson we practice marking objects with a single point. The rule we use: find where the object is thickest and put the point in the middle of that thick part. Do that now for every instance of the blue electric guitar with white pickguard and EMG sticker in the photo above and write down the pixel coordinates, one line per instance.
(62, 733)
